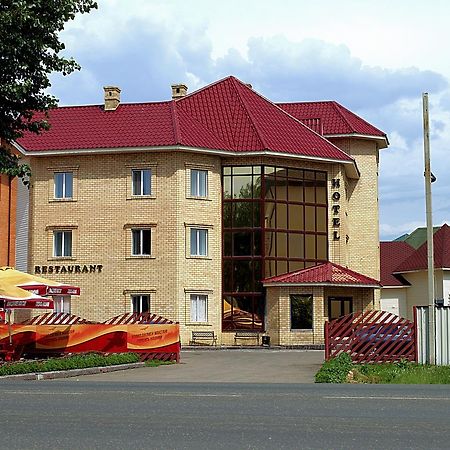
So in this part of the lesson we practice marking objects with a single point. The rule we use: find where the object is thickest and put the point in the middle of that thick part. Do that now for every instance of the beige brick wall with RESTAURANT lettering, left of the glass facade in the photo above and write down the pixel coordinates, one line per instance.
(102, 216)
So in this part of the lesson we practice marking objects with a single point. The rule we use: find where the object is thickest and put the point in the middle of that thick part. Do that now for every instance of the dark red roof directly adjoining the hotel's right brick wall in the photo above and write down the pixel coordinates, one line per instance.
(392, 254)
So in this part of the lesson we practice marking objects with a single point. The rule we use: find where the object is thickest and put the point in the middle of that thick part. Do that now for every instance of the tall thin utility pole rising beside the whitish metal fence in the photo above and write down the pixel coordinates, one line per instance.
(430, 250)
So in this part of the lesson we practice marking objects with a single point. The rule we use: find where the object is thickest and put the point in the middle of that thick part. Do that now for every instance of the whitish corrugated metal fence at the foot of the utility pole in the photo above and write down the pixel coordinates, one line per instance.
(442, 333)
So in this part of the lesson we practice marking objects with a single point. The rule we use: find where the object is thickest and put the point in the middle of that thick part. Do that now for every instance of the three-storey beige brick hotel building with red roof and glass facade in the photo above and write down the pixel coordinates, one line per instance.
(219, 209)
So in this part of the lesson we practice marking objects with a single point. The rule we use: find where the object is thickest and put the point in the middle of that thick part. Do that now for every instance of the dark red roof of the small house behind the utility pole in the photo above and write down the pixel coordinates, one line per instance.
(419, 261)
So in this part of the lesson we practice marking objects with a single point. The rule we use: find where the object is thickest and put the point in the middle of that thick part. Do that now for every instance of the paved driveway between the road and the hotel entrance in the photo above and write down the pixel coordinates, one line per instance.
(228, 366)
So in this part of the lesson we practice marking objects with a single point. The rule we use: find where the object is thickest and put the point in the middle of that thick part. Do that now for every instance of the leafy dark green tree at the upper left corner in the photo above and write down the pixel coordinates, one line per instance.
(29, 52)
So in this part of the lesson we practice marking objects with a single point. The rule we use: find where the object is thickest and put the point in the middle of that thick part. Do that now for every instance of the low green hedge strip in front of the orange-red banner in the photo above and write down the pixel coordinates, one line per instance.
(67, 363)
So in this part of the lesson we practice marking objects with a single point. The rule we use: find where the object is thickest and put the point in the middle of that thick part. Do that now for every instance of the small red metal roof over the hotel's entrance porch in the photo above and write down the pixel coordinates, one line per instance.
(327, 273)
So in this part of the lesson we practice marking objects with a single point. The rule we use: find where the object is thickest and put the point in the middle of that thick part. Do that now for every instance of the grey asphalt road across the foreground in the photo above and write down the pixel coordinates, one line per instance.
(75, 414)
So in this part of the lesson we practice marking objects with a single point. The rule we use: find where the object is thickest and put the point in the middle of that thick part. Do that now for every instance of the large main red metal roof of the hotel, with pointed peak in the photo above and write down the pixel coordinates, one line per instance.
(226, 115)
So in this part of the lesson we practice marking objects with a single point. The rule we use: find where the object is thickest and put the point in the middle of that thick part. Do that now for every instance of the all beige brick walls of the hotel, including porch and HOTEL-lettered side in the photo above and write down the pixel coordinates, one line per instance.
(103, 213)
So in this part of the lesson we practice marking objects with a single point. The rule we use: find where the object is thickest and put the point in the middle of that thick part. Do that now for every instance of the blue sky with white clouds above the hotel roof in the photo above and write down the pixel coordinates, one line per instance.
(375, 58)
